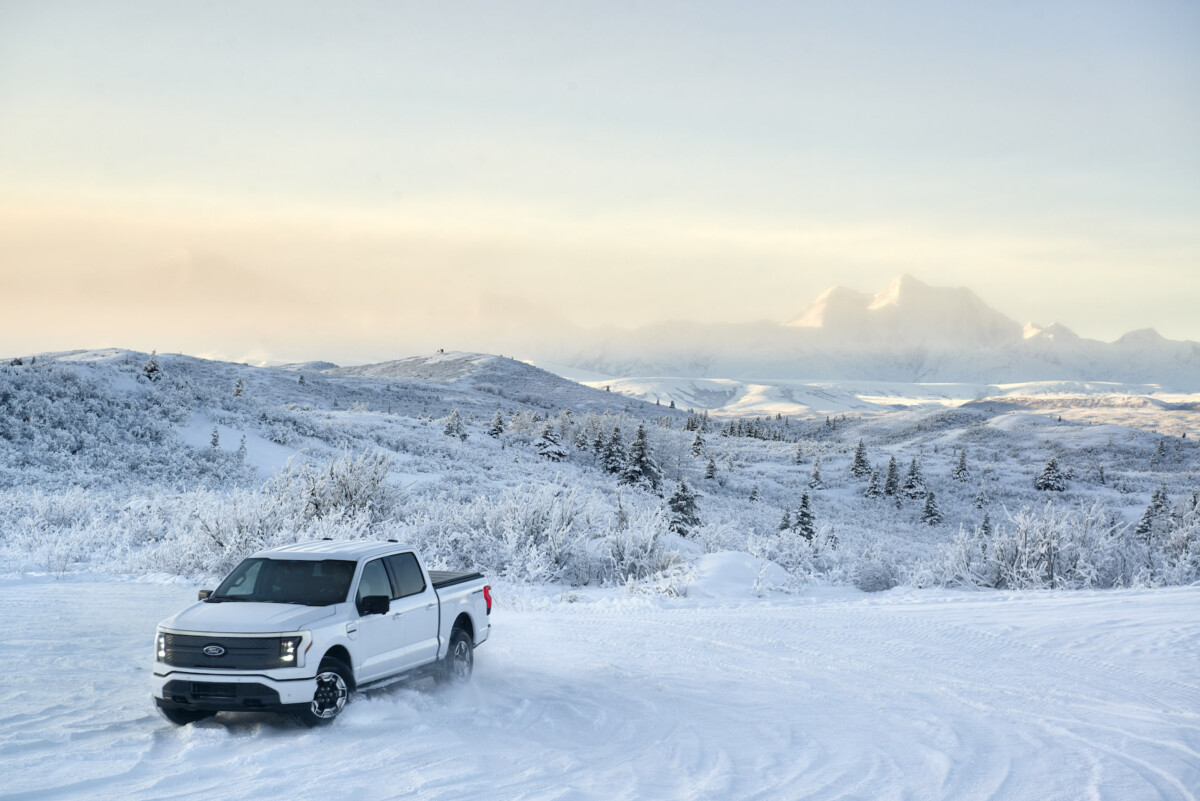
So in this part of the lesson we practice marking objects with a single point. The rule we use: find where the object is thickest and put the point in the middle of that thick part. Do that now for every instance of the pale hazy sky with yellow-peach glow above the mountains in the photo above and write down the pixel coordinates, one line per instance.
(362, 182)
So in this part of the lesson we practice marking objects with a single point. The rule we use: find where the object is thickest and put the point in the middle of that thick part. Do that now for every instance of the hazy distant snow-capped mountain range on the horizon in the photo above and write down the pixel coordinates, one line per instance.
(910, 333)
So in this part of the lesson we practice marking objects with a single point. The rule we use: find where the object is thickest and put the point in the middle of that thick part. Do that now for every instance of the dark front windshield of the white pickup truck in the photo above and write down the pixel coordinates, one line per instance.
(289, 581)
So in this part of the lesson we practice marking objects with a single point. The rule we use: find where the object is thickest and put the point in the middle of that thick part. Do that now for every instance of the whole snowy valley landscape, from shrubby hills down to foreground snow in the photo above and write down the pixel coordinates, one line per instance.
(949, 597)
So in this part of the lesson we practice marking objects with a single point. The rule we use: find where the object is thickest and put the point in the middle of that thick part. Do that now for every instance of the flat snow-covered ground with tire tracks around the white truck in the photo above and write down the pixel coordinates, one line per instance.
(604, 695)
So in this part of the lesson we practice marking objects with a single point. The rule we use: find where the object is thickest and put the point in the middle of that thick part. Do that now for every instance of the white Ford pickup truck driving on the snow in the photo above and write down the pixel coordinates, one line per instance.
(297, 629)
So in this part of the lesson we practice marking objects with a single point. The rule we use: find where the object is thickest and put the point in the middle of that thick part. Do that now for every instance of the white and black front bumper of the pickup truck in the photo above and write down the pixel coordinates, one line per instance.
(230, 694)
